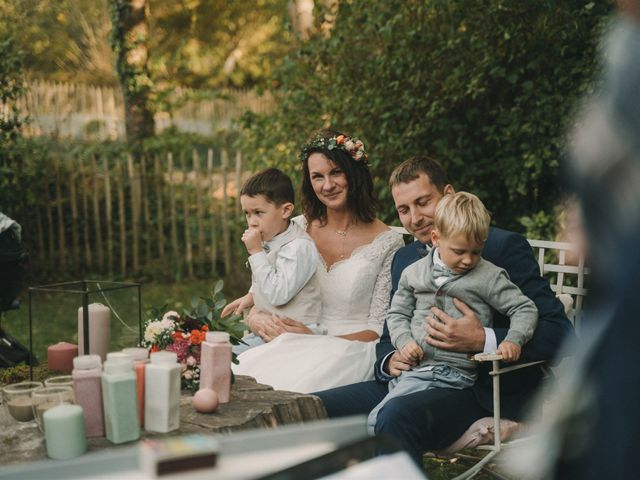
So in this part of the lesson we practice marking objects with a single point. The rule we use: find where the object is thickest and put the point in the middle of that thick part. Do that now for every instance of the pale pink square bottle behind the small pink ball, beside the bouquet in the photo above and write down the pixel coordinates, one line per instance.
(215, 364)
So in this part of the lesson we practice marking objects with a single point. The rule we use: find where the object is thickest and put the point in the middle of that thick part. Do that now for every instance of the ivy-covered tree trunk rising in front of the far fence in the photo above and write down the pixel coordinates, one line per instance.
(129, 36)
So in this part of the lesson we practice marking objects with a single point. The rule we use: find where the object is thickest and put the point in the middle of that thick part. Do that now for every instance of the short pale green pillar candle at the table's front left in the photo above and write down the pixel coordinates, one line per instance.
(64, 432)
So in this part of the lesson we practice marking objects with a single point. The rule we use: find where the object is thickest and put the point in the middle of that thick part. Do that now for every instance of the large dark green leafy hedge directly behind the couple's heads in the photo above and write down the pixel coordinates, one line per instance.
(487, 87)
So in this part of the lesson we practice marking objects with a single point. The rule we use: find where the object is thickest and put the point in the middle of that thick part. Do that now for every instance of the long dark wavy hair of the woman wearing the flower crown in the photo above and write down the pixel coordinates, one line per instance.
(361, 200)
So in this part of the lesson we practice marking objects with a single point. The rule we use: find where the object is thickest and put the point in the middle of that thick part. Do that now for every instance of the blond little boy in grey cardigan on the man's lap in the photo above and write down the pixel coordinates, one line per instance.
(452, 269)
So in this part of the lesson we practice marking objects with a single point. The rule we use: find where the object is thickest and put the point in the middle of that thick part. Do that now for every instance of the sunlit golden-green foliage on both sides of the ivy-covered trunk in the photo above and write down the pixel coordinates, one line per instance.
(196, 43)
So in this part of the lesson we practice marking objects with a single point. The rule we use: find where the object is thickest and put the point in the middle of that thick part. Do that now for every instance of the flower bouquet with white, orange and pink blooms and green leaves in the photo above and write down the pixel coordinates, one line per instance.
(184, 333)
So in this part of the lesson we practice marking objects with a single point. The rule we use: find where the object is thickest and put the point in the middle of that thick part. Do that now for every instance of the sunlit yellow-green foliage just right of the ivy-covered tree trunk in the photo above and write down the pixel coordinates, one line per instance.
(215, 43)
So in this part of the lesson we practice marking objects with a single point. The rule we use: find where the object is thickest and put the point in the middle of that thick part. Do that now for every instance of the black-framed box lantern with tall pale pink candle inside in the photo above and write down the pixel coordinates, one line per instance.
(69, 311)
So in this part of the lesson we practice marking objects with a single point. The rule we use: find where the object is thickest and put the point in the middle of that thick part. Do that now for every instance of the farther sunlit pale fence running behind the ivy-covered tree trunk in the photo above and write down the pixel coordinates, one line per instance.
(97, 113)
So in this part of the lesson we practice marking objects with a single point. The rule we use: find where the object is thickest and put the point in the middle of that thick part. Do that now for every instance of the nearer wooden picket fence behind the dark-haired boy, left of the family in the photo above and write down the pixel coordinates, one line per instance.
(166, 214)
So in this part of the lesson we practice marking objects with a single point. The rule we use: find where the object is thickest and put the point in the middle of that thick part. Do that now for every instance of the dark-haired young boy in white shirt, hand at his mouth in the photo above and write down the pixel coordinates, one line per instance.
(282, 257)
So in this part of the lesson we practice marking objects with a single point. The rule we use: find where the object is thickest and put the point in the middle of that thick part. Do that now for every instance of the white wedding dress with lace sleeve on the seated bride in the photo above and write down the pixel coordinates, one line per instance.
(355, 297)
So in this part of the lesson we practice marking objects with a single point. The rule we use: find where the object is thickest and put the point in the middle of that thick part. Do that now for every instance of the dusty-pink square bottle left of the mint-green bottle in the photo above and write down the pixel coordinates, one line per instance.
(87, 390)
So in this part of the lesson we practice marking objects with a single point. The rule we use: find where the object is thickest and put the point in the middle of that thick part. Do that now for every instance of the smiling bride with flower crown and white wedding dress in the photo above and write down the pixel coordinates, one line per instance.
(356, 250)
